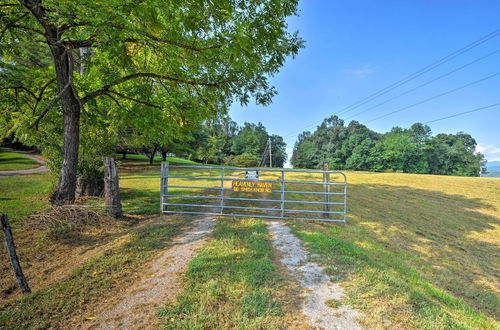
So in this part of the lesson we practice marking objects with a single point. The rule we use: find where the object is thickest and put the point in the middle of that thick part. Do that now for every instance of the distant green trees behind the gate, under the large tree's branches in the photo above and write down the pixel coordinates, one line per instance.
(214, 141)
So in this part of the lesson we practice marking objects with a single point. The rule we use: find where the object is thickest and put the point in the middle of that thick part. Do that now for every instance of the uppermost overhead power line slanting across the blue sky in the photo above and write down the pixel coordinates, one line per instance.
(411, 76)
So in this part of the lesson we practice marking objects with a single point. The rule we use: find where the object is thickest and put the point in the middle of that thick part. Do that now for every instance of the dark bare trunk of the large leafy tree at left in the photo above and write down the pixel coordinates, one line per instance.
(71, 111)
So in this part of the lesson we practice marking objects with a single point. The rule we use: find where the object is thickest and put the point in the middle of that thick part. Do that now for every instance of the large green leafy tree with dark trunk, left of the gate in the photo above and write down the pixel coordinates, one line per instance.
(107, 55)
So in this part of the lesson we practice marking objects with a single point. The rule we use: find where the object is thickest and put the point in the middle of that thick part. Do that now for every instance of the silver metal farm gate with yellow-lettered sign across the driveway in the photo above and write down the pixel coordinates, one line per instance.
(254, 192)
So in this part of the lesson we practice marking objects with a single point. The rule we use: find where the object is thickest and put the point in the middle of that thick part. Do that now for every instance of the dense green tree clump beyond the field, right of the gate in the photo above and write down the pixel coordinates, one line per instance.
(412, 150)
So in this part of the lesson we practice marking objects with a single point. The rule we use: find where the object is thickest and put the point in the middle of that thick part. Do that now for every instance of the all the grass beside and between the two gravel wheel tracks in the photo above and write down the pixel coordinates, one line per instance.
(418, 251)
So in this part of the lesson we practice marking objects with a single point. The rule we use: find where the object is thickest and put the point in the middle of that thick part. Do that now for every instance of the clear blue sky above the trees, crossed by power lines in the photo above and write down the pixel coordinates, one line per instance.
(355, 48)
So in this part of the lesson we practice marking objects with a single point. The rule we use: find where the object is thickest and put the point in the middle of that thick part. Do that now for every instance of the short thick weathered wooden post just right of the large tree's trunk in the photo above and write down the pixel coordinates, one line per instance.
(112, 188)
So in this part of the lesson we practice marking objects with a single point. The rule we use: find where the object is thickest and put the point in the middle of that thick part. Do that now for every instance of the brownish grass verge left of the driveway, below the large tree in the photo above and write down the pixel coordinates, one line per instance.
(71, 299)
